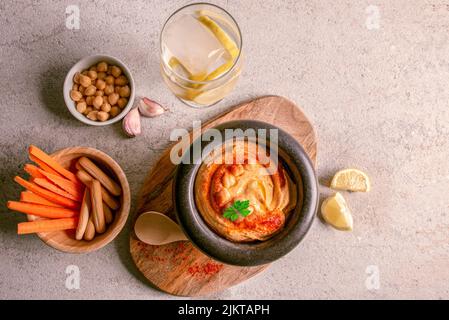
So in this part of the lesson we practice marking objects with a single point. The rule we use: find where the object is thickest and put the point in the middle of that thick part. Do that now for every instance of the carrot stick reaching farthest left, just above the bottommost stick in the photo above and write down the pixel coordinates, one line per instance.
(41, 210)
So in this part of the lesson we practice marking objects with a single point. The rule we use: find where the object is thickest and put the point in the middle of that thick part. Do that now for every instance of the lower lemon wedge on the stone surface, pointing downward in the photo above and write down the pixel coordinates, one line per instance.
(335, 212)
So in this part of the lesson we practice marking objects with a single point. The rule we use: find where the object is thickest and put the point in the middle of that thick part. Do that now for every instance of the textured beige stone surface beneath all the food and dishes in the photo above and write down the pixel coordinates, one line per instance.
(378, 98)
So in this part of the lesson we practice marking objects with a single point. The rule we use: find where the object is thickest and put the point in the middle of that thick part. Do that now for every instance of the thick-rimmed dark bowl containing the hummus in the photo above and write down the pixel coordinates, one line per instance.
(301, 170)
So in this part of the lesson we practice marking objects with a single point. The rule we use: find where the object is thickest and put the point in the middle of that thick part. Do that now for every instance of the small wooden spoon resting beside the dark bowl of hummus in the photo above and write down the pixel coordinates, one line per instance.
(157, 229)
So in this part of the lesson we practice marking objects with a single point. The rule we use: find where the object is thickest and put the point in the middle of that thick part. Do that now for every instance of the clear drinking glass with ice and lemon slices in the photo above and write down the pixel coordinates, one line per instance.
(201, 54)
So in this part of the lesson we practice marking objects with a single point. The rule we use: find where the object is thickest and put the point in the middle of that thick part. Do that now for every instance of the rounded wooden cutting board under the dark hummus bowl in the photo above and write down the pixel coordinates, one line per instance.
(179, 268)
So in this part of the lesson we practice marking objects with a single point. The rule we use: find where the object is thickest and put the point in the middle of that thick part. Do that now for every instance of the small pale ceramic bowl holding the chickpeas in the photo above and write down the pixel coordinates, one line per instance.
(84, 64)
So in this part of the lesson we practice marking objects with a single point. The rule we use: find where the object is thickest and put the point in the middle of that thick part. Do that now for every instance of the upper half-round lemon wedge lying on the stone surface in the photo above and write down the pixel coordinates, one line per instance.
(351, 180)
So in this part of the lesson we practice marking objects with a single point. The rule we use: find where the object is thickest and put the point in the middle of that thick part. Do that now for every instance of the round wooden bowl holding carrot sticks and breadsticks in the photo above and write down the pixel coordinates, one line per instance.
(65, 240)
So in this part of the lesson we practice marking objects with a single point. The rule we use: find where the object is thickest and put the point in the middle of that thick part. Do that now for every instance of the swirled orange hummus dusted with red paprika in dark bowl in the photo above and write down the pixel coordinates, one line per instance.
(271, 194)
